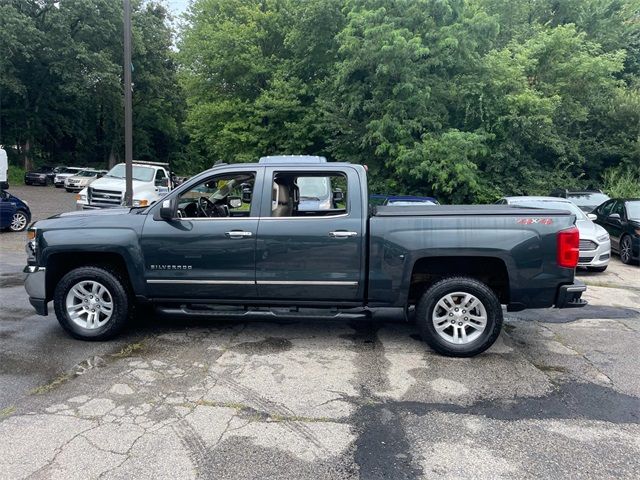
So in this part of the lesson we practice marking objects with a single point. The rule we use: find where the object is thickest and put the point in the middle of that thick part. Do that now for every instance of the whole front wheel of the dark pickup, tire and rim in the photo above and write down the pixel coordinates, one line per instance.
(92, 303)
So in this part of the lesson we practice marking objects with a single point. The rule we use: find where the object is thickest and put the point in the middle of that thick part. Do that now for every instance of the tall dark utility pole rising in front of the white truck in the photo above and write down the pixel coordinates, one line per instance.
(128, 119)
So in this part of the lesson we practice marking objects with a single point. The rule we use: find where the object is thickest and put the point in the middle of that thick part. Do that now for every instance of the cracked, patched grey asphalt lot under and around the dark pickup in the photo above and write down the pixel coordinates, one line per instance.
(557, 396)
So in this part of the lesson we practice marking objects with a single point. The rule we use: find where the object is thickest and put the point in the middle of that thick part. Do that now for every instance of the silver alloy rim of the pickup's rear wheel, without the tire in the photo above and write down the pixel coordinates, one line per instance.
(459, 318)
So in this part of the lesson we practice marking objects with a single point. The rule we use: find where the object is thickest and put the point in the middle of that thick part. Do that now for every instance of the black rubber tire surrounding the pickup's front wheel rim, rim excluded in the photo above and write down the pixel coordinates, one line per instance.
(117, 288)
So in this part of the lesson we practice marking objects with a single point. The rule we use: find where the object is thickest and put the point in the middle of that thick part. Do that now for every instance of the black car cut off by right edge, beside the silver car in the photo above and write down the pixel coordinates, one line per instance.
(621, 218)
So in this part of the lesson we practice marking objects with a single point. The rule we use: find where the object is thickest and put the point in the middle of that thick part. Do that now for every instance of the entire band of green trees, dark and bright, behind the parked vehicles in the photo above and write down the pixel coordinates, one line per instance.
(467, 100)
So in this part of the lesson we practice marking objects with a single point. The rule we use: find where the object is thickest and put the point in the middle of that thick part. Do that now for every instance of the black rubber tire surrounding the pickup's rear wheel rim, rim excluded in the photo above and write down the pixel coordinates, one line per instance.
(437, 291)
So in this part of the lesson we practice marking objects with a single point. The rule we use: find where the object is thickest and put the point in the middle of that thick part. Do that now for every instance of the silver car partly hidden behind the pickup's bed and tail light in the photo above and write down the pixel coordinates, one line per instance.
(595, 245)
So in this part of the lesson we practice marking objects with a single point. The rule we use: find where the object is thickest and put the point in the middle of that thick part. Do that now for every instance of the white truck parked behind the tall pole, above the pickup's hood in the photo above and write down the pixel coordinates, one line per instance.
(151, 182)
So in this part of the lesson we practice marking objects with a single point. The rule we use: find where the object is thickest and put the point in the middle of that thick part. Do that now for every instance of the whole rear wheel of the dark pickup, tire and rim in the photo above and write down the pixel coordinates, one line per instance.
(459, 317)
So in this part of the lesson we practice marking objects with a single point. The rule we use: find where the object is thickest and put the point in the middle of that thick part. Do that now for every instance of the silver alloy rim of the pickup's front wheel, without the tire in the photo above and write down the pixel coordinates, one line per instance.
(89, 304)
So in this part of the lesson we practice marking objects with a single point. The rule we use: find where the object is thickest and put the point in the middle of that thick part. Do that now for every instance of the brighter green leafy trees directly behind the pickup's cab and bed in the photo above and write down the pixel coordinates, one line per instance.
(464, 99)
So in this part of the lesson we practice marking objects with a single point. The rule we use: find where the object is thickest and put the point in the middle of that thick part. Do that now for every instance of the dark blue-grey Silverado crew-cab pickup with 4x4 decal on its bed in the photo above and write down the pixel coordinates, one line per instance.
(234, 241)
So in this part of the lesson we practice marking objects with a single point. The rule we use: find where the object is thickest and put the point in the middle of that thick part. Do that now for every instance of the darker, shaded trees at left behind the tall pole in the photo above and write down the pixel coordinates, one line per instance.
(61, 81)
